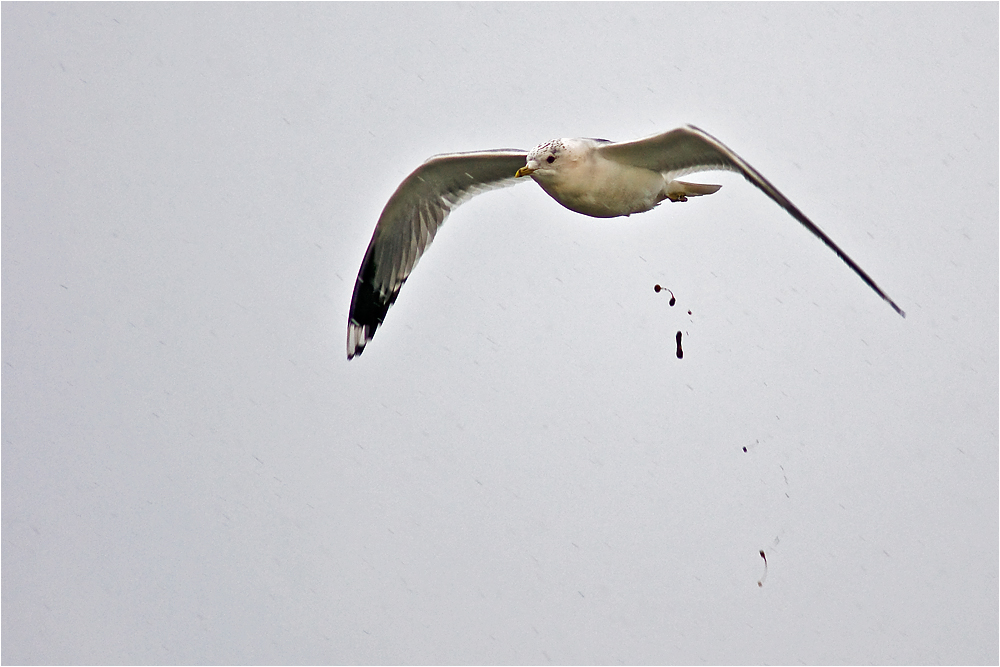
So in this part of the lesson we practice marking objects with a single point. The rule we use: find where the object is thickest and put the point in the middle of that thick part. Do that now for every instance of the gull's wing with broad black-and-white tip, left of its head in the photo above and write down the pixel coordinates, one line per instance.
(407, 226)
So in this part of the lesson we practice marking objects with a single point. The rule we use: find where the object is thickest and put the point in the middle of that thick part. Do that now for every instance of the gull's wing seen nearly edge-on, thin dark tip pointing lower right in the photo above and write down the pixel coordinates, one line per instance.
(688, 149)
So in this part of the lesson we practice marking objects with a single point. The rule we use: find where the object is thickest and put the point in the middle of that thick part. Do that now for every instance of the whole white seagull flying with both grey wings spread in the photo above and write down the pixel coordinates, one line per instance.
(595, 177)
